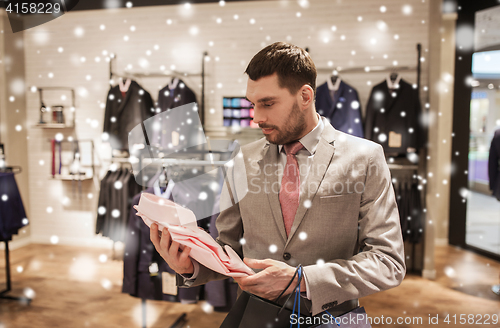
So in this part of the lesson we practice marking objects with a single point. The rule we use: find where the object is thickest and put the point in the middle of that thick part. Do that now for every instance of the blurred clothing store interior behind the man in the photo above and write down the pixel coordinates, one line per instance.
(419, 77)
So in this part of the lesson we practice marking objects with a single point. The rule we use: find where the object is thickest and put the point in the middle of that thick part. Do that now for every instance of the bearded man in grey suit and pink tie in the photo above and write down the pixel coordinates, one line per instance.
(325, 202)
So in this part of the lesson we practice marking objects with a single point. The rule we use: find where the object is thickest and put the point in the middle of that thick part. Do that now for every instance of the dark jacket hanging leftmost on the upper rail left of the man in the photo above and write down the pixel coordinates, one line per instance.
(124, 113)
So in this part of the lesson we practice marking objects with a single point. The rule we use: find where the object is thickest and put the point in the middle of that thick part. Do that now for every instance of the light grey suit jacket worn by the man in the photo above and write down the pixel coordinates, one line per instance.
(346, 231)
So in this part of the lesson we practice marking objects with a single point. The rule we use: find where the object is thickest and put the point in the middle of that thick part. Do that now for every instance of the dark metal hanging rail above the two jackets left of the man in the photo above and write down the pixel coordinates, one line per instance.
(172, 73)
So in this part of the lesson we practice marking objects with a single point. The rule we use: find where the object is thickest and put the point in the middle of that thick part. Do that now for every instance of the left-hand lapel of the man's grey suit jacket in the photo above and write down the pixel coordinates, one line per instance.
(271, 157)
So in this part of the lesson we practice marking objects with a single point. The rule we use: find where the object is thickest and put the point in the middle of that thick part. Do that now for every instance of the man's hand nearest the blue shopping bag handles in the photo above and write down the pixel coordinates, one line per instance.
(271, 281)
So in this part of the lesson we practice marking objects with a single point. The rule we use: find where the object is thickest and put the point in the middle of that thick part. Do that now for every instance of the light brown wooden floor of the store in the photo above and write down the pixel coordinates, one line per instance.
(73, 288)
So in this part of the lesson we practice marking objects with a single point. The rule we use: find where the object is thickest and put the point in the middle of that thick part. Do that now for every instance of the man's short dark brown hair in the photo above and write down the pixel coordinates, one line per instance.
(293, 65)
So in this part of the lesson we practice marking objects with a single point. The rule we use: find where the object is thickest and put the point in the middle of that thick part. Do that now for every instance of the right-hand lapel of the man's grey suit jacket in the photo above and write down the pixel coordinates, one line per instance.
(321, 162)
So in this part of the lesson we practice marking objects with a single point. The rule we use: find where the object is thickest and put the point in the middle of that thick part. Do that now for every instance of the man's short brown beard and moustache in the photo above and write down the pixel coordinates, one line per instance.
(292, 130)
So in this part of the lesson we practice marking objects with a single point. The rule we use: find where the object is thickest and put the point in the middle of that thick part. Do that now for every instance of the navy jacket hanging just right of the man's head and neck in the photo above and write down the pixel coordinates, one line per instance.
(343, 109)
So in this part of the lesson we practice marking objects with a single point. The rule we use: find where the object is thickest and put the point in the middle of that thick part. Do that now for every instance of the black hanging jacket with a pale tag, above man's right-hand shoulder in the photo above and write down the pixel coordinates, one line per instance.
(393, 118)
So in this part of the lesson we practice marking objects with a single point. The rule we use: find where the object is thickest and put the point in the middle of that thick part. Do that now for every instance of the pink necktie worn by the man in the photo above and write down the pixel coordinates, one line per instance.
(290, 185)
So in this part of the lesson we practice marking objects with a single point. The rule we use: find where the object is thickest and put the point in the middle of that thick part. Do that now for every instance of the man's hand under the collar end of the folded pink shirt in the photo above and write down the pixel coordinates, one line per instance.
(177, 259)
